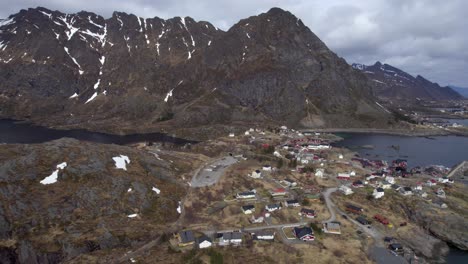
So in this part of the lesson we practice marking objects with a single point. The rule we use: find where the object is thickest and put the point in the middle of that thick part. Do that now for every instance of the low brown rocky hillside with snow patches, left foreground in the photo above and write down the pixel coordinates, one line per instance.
(66, 198)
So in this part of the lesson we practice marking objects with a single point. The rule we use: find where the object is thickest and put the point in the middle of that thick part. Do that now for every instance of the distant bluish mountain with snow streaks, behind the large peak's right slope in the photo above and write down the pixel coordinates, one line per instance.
(392, 83)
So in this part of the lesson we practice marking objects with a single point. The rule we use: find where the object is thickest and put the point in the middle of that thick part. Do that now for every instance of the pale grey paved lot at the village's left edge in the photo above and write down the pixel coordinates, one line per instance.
(210, 173)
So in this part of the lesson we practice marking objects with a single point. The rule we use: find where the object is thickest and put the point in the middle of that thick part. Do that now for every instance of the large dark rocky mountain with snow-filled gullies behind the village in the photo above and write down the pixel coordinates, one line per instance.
(127, 73)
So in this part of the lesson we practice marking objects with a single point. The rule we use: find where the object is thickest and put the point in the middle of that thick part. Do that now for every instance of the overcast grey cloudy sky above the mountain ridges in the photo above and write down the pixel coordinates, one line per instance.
(426, 37)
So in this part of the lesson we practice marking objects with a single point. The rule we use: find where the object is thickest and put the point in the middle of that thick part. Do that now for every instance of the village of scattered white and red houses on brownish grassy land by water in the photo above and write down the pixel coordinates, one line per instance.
(292, 187)
